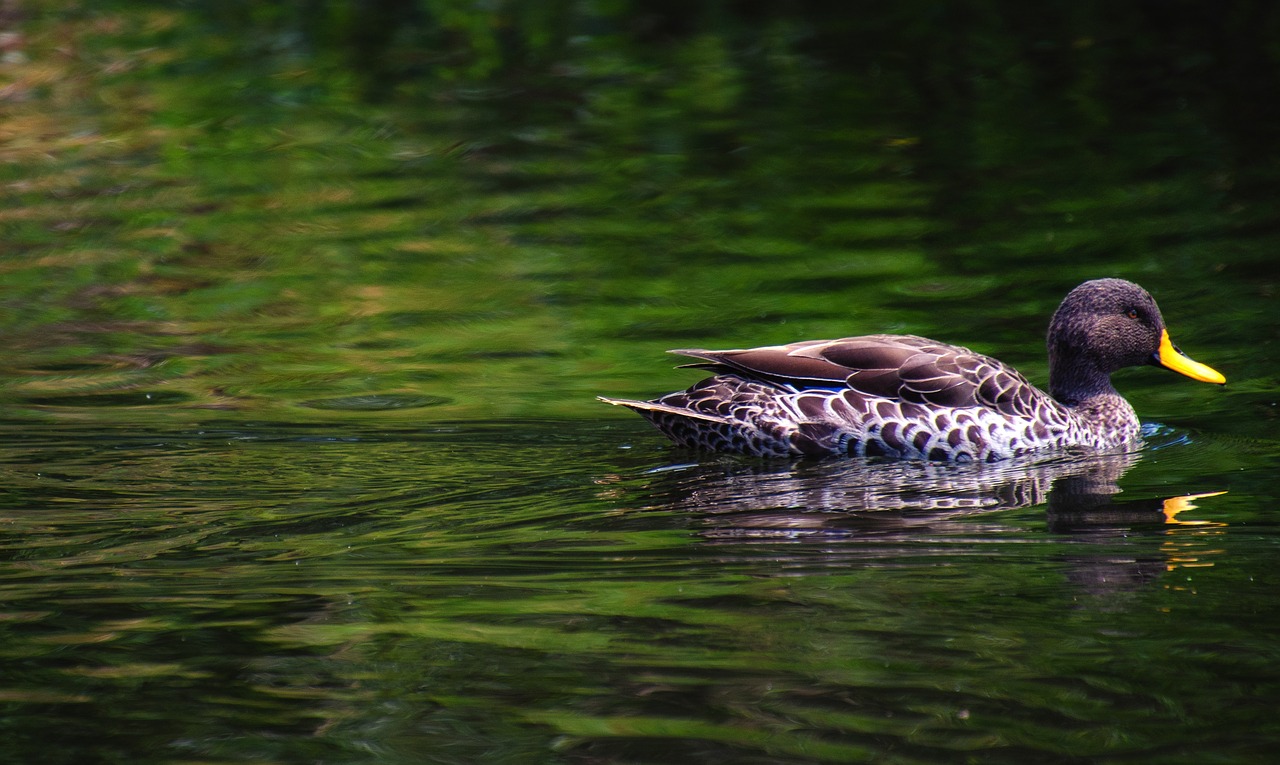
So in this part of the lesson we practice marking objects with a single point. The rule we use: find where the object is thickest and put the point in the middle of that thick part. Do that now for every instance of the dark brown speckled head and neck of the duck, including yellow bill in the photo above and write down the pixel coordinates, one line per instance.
(1107, 326)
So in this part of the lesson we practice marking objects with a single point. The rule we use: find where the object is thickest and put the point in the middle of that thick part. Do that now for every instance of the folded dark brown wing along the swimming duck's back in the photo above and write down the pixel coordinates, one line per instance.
(903, 368)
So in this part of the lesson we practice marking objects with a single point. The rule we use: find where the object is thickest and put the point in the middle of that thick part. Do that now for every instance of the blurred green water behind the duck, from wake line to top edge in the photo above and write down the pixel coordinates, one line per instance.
(501, 209)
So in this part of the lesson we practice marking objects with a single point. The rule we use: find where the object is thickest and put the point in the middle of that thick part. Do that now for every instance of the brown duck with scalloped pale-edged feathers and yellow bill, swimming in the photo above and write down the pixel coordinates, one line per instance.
(915, 398)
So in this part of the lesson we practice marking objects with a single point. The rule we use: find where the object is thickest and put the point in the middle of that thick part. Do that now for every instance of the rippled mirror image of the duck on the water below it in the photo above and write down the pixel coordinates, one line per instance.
(916, 503)
